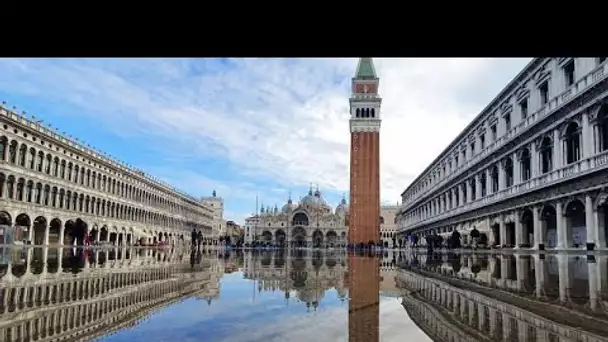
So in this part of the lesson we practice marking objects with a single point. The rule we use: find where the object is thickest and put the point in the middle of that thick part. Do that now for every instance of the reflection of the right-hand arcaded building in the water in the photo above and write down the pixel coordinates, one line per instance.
(519, 297)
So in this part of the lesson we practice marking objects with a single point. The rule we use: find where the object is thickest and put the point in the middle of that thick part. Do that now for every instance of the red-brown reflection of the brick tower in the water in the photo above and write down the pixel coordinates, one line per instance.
(363, 306)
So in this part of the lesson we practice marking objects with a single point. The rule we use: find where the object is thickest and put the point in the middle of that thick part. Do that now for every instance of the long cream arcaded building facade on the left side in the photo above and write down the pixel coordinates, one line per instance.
(54, 190)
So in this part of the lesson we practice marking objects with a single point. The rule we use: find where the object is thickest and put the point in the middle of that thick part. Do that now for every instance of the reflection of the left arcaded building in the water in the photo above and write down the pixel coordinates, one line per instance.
(72, 294)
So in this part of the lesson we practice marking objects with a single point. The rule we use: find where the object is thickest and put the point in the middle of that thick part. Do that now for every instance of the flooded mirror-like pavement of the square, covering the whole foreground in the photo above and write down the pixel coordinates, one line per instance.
(123, 294)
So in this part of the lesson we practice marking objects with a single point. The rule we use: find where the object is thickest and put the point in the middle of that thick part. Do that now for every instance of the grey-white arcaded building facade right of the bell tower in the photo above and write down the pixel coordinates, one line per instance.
(530, 170)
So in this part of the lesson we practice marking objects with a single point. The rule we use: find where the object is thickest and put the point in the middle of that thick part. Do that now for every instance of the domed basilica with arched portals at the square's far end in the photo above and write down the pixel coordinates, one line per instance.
(311, 222)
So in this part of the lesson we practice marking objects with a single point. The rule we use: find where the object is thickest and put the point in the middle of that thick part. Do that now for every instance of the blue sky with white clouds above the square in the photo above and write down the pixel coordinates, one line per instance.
(248, 127)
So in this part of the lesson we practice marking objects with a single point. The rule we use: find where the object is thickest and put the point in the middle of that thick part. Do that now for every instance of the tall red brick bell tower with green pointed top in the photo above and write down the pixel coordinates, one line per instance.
(364, 211)
